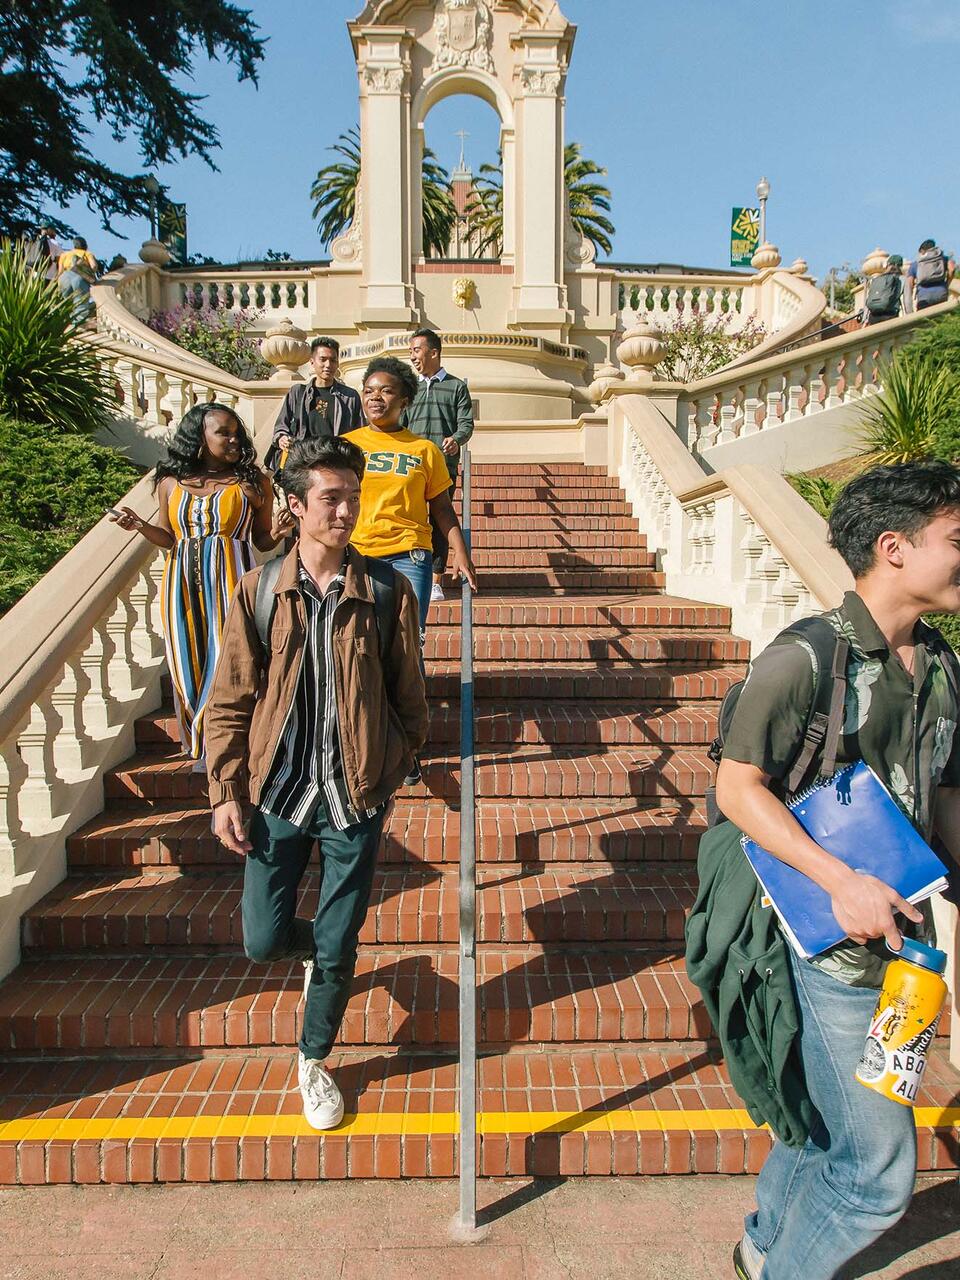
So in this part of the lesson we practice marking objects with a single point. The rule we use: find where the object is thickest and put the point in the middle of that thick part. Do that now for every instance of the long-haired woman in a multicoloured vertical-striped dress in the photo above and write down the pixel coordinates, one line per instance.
(214, 502)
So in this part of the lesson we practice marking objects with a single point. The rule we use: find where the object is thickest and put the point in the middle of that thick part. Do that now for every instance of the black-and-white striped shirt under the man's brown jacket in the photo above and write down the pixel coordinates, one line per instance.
(309, 765)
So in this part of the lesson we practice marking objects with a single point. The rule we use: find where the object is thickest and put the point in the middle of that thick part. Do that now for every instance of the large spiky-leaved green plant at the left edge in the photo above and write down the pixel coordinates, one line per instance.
(48, 373)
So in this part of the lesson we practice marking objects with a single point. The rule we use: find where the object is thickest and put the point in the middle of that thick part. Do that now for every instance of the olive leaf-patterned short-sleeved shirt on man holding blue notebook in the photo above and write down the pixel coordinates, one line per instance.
(902, 726)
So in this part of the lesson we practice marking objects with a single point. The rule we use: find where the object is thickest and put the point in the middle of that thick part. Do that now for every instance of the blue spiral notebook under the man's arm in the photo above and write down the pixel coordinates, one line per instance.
(853, 817)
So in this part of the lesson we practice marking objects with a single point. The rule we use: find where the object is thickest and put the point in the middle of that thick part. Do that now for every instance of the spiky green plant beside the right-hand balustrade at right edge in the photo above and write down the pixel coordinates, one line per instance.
(906, 422)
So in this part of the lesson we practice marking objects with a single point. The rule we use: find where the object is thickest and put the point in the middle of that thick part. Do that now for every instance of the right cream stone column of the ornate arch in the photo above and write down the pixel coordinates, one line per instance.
(541, 296)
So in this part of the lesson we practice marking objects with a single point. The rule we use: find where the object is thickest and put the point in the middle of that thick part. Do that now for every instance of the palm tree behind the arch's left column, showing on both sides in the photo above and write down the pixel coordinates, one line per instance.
(335, 193)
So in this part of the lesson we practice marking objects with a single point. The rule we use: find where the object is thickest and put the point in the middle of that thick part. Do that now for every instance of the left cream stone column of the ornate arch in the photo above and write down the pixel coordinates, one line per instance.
(386, 177)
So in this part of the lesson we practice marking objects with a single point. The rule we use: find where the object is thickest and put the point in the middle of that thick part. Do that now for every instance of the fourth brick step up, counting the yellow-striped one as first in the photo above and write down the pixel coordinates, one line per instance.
(616, 831)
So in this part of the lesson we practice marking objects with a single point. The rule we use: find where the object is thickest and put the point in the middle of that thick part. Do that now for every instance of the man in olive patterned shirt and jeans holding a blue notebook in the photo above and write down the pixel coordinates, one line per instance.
(843, 1168)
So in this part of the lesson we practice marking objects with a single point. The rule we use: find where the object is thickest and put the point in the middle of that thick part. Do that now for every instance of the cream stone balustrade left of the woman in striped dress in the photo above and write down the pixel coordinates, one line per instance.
(83, 656)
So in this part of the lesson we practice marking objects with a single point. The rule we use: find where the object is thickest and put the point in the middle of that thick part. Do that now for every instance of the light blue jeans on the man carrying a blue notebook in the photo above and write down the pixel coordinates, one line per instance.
(822, 1204)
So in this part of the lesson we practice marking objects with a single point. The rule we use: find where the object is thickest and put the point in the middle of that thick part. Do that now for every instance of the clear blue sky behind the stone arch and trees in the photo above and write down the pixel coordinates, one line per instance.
(848, 107)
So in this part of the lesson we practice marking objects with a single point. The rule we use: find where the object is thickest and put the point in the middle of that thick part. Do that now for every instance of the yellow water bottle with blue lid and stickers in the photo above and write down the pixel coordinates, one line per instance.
(906, 1022)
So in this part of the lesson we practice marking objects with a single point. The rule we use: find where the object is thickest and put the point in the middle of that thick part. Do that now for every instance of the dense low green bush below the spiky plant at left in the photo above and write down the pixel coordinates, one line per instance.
(56, 488)
